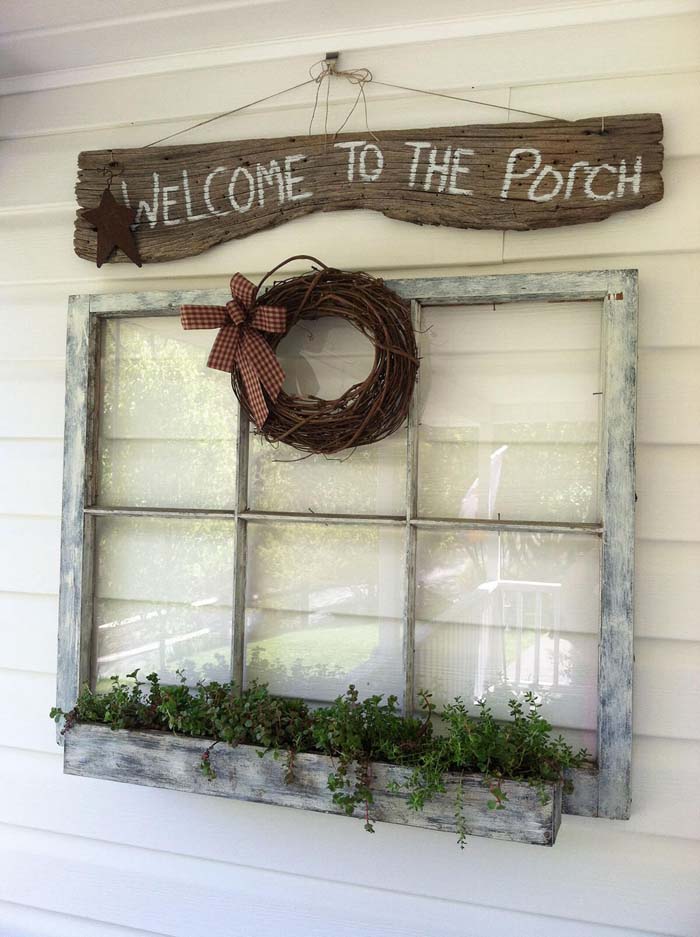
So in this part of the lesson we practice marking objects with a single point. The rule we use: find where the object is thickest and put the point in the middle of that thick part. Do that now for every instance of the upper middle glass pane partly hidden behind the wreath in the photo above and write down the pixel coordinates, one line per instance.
(324, 358)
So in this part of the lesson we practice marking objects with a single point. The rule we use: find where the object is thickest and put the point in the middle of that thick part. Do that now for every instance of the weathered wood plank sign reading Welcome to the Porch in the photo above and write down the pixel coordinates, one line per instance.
(516, 176)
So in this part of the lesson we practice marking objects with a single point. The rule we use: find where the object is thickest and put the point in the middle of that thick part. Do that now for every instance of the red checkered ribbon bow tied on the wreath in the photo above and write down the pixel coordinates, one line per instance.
(240, 343)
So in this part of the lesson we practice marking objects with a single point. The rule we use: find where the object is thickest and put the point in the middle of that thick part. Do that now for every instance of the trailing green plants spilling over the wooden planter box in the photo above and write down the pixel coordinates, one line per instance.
(355, 733)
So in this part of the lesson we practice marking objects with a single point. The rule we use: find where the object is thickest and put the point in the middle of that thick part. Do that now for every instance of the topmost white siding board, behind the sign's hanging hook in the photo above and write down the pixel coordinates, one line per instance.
(553, 56)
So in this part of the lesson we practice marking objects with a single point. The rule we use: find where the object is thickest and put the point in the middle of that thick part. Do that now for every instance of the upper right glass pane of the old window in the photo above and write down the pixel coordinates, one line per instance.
(509, 411)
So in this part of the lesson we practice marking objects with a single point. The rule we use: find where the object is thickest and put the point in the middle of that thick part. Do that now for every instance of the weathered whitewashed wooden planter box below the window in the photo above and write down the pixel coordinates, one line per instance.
(160, 759)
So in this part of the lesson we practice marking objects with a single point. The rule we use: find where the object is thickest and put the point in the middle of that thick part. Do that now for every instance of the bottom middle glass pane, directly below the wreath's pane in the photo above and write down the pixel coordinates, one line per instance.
(324, 609)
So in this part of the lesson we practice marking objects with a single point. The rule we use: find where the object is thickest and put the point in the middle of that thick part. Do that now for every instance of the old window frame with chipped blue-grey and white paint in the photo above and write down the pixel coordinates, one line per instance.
(601, 789)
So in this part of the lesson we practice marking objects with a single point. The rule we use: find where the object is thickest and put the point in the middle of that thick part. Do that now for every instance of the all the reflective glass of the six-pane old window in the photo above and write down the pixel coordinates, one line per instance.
(509, 426)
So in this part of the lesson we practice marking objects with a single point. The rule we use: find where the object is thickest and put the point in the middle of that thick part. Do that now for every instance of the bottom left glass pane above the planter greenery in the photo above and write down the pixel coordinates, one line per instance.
(163, 597)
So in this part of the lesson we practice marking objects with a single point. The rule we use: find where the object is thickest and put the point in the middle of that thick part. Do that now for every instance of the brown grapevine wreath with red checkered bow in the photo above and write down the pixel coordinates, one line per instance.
(252, 324)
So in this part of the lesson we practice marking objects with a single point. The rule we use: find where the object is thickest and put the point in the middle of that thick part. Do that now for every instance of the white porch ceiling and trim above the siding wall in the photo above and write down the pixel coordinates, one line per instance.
(168, 42)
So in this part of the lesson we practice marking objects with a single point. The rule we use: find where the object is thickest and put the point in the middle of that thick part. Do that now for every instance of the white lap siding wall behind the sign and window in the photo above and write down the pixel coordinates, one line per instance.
(95, 858)
